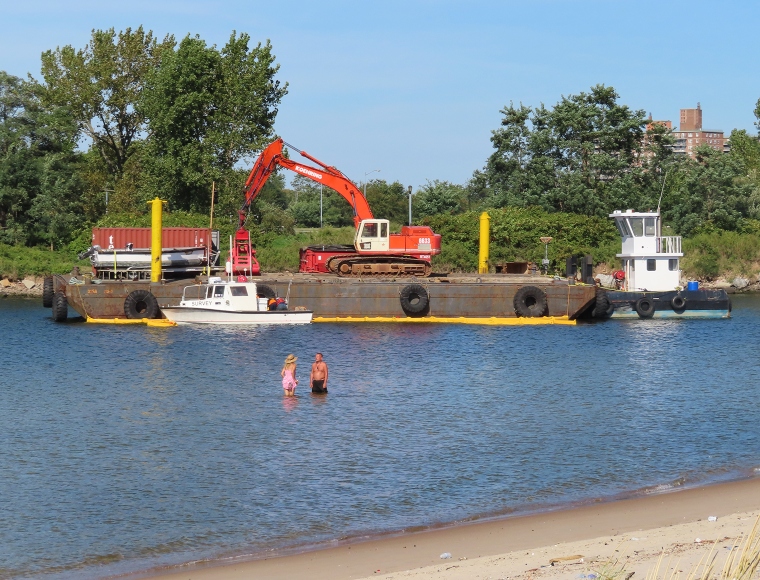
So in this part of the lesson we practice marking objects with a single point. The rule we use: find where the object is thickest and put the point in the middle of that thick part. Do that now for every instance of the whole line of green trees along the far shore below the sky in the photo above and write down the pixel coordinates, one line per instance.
(130, 117)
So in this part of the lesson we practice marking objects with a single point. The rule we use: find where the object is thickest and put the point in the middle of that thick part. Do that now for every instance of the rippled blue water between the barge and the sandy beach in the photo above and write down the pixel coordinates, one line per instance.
(125, 447)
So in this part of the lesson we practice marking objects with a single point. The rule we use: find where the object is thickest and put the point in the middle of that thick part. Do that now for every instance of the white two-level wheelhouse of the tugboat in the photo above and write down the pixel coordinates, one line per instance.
(651, 261)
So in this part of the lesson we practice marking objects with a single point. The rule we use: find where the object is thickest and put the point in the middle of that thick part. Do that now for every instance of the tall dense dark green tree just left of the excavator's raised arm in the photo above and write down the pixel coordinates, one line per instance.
(208, 109)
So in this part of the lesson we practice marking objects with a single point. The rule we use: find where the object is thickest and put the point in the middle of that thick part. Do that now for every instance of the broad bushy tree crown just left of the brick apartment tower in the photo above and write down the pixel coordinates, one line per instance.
(583, 156)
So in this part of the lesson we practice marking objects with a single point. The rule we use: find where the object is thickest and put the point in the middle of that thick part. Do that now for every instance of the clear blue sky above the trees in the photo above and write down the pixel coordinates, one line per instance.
(414, 88)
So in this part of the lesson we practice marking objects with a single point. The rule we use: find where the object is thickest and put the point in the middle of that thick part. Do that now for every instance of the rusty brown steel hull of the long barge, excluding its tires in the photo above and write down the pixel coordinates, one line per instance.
(331, 297)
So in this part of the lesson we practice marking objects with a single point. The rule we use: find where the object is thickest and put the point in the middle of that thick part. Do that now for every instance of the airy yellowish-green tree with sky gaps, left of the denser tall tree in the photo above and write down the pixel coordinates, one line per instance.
(101, 86)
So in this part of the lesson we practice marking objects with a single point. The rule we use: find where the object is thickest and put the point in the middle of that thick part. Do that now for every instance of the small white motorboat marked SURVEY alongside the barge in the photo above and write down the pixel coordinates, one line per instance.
(220, 302)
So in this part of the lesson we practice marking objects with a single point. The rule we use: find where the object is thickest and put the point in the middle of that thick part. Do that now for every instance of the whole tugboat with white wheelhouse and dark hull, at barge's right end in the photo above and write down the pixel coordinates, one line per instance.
(648, 286)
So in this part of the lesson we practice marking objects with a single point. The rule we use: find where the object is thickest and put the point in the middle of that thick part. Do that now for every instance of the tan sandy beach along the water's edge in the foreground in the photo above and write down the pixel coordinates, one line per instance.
(559, 544)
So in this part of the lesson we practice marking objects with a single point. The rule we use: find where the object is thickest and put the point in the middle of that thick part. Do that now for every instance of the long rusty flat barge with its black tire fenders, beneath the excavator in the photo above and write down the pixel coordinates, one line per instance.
(333, 298)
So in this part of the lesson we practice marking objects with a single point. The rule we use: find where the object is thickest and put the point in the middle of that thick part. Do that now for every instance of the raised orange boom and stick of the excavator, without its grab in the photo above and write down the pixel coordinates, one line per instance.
(271, 157)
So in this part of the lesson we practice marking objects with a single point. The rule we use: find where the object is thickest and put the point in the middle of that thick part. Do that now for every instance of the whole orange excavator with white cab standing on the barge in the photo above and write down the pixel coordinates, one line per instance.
(376, 251)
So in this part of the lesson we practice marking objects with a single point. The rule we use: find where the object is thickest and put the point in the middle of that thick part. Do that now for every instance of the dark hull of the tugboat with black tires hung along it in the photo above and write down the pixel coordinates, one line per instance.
(703, 303)
